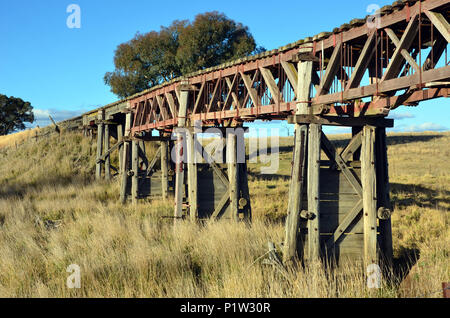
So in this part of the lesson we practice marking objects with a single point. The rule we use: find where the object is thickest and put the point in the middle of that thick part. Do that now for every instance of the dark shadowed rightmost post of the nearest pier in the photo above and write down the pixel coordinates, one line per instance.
(383, 196)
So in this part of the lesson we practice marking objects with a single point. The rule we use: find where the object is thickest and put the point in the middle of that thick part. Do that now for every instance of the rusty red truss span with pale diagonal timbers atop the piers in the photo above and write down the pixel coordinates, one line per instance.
(359, 70)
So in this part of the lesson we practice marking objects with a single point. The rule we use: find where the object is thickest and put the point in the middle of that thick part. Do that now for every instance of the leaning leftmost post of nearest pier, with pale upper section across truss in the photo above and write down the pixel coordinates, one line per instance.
(290, 255)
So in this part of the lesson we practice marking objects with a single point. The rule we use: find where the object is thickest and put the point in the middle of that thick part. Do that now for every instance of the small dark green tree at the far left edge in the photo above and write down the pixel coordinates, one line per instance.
(14, 112)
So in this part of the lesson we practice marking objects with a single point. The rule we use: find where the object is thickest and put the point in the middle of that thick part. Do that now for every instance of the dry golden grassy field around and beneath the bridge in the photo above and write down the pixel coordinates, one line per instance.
(53, 214)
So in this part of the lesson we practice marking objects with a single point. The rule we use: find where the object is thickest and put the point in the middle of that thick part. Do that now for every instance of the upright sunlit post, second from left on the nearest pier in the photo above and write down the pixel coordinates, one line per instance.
(313, 183)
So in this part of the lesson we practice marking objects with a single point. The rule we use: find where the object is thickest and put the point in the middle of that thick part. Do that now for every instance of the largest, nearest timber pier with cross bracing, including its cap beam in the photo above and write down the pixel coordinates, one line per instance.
(344, 209)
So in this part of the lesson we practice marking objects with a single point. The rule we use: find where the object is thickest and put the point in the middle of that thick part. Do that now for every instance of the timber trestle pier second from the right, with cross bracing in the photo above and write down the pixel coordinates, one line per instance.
(214, 185)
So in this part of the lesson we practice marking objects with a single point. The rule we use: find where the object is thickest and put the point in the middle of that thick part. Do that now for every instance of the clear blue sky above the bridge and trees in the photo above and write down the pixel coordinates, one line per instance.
(60, 70)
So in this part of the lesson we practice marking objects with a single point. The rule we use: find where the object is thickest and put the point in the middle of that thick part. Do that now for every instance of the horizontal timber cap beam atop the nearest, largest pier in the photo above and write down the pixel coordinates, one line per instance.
(341, 121)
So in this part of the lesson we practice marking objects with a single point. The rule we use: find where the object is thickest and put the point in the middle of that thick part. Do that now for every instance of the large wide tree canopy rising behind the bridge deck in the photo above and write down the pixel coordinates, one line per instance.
(183, 47)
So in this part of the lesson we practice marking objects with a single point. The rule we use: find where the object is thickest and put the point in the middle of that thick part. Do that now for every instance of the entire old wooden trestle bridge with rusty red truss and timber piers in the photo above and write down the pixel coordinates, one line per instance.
(353, 76)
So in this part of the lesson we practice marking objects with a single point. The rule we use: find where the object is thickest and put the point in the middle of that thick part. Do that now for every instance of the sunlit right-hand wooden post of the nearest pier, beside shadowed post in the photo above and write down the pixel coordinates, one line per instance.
(368, 180)
